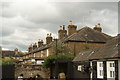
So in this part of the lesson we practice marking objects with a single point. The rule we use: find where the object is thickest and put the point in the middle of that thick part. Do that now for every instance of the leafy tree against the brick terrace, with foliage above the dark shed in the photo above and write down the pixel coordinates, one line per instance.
(61, 51)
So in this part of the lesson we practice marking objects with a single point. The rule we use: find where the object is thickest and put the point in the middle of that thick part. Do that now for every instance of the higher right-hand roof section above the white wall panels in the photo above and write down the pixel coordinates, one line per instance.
(110, 50)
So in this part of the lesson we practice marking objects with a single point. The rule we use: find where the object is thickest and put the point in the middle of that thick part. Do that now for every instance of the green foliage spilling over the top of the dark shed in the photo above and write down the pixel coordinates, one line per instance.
(49, 60)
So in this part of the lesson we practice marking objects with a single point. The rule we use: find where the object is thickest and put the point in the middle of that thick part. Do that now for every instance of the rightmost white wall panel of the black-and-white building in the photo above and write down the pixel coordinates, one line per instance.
(109, 69)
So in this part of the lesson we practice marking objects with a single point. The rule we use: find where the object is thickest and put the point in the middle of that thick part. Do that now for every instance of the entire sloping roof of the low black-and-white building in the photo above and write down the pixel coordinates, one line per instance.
(108, 51)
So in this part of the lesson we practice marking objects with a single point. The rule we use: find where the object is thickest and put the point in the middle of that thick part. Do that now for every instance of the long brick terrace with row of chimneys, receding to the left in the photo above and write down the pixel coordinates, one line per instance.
(75, 40)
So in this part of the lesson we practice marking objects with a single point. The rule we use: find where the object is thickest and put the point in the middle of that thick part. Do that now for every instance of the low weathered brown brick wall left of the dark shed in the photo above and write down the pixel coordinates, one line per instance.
(27, 69)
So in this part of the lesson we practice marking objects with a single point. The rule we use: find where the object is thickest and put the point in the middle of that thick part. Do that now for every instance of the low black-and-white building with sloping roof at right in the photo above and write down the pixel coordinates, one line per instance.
(100, 63)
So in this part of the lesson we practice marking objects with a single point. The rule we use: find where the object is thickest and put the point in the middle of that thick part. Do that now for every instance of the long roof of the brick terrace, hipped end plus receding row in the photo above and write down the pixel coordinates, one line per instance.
(82, 35)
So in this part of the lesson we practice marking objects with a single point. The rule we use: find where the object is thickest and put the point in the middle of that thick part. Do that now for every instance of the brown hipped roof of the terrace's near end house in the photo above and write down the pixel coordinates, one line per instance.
(89, 35)
